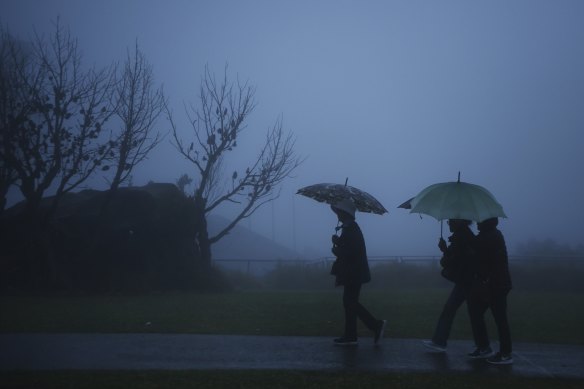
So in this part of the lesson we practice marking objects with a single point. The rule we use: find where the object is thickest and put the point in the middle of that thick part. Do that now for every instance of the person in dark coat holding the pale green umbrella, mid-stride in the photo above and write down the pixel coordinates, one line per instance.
(457, 266)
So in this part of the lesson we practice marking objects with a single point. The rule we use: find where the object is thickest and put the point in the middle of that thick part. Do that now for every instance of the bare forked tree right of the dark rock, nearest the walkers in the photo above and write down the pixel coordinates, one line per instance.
(217, 124)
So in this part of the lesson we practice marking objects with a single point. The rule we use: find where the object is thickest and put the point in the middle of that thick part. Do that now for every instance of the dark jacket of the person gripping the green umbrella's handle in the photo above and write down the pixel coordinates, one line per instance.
(459, 259)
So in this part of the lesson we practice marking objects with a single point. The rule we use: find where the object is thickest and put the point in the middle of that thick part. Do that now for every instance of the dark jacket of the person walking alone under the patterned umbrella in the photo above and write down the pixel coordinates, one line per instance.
(351, 263)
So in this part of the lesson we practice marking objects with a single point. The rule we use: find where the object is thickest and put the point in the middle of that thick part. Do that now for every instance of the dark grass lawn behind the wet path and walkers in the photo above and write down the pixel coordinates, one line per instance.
(546, 316)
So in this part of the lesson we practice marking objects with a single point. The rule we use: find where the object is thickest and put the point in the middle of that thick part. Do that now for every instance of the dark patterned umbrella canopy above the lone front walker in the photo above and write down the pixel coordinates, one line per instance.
(333, 193)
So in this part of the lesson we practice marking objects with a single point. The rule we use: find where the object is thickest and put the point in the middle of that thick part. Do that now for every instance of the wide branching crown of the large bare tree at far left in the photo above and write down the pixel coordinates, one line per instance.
(56, 141)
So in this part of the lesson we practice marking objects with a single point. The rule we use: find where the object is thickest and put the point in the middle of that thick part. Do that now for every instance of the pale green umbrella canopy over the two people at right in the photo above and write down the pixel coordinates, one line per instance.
(456, 200)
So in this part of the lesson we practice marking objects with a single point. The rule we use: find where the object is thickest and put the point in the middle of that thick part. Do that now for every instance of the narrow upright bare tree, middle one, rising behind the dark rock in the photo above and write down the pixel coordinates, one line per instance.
(138, 104)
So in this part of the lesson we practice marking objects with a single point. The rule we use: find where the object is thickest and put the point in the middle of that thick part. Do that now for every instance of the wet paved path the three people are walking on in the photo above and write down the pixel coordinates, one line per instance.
(186, 351)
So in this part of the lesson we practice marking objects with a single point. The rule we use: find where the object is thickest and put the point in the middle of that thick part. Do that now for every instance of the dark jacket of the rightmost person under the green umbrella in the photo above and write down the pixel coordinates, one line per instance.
(493, 263)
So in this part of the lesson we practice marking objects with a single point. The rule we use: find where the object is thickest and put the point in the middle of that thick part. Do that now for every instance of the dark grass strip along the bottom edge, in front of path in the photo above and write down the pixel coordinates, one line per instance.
(271, 379)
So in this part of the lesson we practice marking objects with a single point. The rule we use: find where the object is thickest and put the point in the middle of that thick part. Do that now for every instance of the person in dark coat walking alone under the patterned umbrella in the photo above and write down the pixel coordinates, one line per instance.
(351, 270)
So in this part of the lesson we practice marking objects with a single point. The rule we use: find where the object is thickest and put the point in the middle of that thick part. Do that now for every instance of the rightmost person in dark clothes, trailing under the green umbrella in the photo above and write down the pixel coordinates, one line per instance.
(490, 290)
